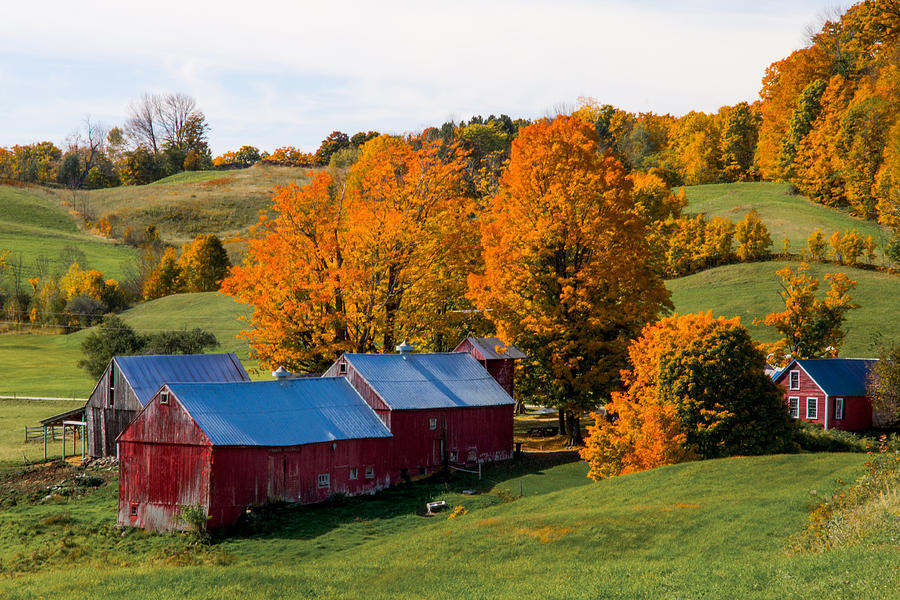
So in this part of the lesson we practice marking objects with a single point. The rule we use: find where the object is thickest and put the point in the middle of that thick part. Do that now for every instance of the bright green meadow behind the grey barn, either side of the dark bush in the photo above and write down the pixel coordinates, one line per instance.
(47, 365)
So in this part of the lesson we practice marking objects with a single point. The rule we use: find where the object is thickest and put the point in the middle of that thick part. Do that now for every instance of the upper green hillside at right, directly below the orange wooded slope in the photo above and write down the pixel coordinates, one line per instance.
(783, 213)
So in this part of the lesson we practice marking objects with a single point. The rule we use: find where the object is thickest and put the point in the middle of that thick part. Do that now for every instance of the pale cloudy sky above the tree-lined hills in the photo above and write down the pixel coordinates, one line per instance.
(275, 73)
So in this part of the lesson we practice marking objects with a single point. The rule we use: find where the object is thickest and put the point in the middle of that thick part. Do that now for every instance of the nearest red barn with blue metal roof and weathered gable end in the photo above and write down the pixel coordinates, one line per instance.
(227, 446)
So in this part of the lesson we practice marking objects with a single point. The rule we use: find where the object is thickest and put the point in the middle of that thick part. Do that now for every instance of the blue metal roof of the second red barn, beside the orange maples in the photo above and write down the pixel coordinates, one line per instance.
(423, 381)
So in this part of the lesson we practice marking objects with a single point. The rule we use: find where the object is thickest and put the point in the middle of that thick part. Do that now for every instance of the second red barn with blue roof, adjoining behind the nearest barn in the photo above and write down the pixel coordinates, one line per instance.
(442, 408)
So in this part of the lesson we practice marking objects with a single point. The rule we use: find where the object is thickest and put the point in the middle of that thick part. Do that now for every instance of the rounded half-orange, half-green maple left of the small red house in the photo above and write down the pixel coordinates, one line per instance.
(695, 389)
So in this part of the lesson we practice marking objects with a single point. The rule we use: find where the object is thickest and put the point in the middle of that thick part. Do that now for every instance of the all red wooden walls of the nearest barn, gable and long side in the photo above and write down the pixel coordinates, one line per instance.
(166, 461)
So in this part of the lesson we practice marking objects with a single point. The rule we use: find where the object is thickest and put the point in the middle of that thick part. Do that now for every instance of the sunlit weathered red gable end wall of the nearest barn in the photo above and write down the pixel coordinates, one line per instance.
(164, 463)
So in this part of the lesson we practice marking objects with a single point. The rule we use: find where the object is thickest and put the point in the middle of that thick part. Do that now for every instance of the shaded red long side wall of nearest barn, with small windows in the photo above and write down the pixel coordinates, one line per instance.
(245, 476)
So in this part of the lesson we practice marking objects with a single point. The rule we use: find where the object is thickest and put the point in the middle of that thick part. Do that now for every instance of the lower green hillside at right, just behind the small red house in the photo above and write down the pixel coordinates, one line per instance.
(752, 290)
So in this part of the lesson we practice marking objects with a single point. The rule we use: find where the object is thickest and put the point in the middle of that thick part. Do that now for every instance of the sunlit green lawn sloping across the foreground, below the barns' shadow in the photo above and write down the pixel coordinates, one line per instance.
(715, 529)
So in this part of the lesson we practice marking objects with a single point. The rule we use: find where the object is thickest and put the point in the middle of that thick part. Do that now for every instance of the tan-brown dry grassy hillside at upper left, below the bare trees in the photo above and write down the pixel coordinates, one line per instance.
(187, 204)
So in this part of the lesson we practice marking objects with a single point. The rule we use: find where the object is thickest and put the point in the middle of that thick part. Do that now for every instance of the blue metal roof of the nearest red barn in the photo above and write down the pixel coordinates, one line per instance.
(279, 413)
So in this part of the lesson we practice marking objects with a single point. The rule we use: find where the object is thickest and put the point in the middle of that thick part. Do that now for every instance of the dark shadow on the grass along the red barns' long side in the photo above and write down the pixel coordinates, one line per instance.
(283, 521)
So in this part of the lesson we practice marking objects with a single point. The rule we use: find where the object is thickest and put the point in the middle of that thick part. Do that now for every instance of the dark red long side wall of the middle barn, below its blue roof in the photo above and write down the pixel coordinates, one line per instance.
(483, 432)
